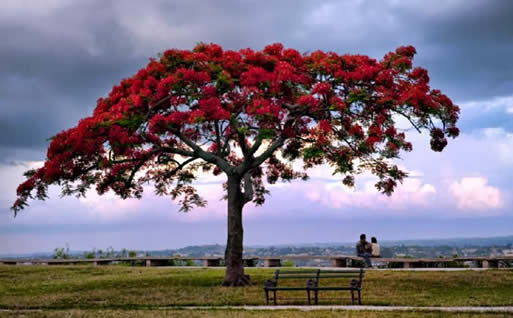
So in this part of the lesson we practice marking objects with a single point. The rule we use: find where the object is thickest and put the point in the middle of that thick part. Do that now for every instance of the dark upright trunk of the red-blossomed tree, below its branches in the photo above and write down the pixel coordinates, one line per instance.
(234, 275)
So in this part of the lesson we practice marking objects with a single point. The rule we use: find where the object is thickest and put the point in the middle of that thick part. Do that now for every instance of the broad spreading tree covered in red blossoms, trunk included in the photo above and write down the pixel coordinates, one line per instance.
(247, 115)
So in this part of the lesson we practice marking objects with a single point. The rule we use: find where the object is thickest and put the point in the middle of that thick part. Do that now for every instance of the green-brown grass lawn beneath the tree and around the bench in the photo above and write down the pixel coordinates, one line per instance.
(115, 290)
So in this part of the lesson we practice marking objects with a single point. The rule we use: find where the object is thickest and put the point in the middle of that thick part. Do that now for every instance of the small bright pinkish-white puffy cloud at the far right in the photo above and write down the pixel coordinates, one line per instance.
(474, 193)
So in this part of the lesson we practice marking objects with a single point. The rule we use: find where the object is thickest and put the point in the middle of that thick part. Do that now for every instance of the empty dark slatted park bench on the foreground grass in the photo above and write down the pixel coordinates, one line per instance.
(313, 283)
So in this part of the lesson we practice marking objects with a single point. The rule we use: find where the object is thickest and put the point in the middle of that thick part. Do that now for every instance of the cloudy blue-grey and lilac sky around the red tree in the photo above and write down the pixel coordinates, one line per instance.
(59, 56)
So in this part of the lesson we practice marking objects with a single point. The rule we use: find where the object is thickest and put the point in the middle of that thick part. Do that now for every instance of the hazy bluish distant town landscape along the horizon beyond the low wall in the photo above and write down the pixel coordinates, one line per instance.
(462, 247)
